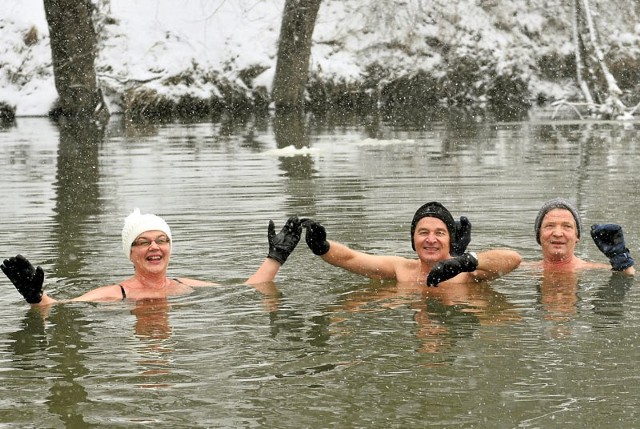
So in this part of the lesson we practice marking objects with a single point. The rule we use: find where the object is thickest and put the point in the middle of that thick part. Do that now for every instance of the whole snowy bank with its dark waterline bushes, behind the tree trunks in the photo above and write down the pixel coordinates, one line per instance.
(159, 52)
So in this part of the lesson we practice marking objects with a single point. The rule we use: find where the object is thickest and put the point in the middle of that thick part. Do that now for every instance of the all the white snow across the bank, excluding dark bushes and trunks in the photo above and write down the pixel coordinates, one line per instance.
(152, 40)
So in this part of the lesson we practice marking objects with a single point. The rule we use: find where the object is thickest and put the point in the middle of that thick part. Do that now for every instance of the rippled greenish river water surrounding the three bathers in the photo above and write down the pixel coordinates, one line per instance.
(326, 348)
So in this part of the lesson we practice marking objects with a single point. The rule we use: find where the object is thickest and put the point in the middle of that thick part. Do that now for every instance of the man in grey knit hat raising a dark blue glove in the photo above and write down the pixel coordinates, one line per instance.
(558, 228)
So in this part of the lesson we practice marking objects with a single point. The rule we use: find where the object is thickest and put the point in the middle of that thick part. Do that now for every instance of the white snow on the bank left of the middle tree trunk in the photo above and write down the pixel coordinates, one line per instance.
(152, 39)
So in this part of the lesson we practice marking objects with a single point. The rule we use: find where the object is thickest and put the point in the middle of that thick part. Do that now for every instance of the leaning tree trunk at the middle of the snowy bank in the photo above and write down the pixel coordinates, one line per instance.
(294, 50)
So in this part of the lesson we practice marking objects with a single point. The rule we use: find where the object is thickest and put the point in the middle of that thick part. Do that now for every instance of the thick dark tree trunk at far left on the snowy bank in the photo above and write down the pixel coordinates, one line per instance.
(73, 50)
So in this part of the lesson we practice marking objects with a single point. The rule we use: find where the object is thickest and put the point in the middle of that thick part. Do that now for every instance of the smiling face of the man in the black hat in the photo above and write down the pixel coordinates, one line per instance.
(431, 239)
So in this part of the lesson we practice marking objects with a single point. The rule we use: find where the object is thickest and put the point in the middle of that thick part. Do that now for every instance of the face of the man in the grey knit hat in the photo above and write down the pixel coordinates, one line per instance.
(558, 235)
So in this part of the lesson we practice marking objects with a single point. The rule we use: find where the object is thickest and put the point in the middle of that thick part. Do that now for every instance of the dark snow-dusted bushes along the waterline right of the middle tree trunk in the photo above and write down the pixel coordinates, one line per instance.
(466, 85)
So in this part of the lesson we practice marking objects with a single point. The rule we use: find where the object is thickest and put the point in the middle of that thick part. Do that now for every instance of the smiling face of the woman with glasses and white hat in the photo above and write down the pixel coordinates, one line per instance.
(151, 251)
